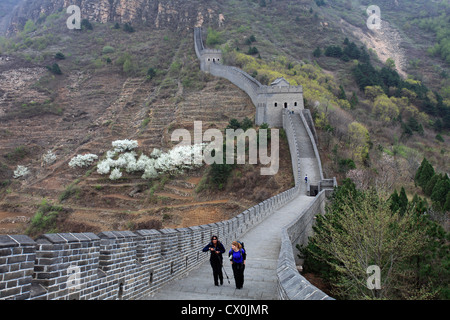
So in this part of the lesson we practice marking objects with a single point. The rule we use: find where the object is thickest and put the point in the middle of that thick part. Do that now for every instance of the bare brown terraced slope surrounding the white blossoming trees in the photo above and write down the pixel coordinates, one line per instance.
(87, 112)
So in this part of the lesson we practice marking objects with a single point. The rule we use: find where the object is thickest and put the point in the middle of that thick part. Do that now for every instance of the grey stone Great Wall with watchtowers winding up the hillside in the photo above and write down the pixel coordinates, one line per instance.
(137, 265)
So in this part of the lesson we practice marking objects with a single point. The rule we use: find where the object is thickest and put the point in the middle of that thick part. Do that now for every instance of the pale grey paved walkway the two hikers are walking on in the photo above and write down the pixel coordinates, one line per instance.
(262, 243)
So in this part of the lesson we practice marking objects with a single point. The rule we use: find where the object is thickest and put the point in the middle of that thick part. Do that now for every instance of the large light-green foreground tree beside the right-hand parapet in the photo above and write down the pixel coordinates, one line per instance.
(359, 230)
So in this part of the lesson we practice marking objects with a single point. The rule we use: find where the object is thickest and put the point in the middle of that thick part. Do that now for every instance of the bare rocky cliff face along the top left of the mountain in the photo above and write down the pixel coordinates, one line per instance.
(173, 14)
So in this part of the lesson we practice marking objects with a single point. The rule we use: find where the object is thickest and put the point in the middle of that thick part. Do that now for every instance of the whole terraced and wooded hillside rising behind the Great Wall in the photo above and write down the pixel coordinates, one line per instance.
(144, 82)
